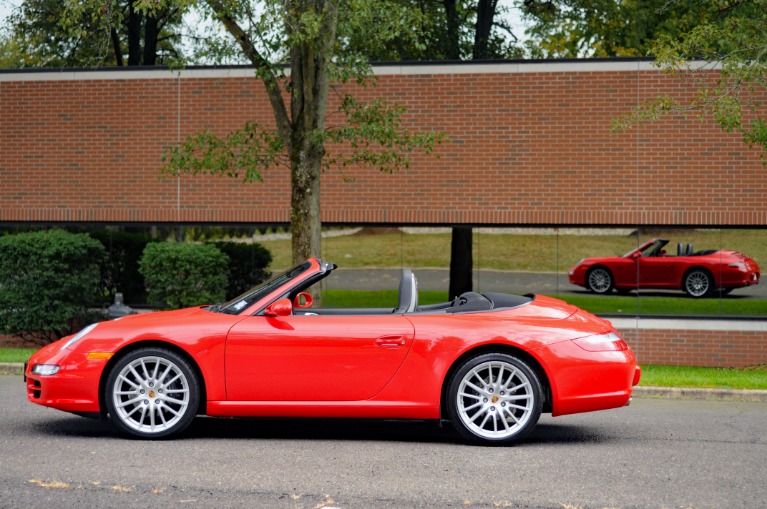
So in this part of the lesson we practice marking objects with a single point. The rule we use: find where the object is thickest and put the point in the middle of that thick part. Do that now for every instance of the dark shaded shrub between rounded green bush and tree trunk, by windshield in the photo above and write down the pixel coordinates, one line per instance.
(247, 266)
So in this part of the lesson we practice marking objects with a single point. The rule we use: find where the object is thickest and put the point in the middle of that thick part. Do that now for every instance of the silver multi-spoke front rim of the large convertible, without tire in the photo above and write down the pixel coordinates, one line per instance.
(151, 394)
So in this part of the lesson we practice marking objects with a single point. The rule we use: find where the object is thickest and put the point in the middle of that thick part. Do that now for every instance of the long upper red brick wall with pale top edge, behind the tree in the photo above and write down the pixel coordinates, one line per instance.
(529, 143)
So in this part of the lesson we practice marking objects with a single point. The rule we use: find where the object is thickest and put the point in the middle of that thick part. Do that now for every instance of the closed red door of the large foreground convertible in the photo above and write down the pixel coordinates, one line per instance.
(314, 358)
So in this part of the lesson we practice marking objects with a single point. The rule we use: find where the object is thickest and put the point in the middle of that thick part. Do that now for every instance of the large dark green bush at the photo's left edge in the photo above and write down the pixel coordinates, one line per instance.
(47, 281)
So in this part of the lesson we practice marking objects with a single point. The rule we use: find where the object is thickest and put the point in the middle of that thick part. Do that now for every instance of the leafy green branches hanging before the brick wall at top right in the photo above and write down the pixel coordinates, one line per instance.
(736, 46)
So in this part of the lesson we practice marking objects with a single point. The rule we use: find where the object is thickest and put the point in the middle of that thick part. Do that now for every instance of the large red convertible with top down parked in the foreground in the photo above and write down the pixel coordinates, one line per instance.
(489, 363)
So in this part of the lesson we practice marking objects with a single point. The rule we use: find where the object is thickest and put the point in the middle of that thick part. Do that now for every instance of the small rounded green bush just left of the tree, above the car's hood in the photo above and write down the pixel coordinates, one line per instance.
(180, 275)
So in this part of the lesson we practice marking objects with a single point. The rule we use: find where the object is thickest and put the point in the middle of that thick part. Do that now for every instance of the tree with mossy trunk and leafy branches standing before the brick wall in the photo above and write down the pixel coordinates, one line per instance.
(309, 36)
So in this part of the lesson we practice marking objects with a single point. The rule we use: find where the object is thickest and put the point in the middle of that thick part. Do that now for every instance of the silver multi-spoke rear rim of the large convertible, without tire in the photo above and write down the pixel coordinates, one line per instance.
(495, 400)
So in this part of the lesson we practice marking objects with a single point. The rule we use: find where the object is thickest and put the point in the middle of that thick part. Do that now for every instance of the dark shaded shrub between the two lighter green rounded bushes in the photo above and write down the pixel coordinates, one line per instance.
(120, 272)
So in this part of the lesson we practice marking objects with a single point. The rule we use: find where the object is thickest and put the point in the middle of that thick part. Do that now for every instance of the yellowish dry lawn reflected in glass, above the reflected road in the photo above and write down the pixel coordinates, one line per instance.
(538, 253)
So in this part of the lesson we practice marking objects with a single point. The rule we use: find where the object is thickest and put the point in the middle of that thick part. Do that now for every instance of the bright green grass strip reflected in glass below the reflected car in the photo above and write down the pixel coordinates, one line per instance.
(602, 305)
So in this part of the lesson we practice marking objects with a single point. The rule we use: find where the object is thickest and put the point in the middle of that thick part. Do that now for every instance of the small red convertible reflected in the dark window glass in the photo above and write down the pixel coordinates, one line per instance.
(649, 266)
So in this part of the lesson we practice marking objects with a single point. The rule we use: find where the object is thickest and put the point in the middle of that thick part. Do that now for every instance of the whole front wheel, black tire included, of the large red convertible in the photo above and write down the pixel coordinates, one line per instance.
(152, 393)
